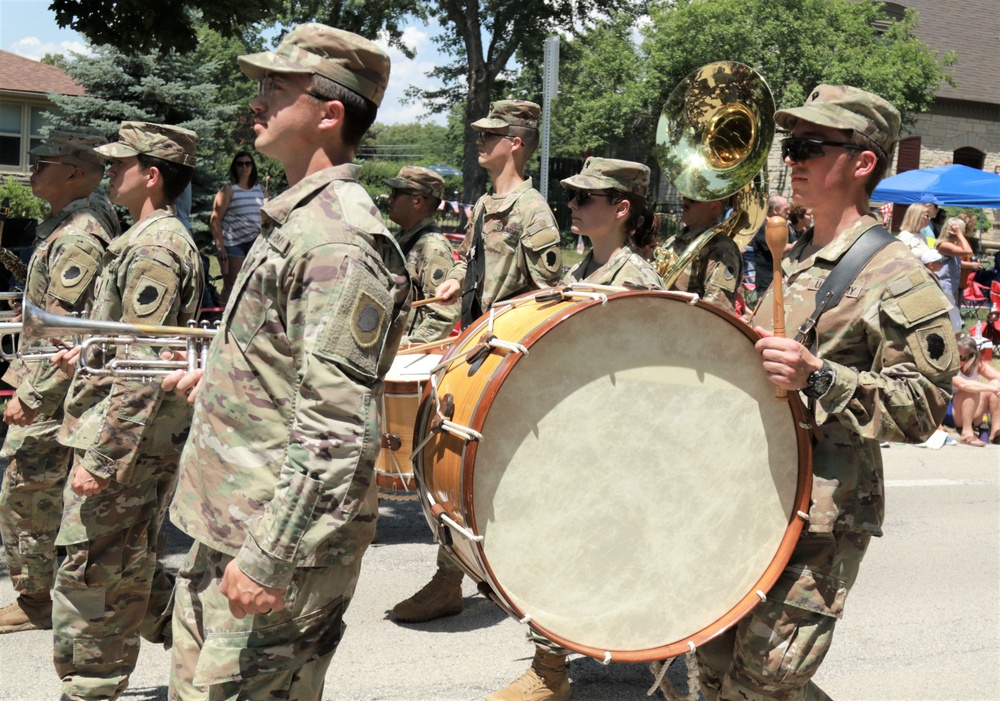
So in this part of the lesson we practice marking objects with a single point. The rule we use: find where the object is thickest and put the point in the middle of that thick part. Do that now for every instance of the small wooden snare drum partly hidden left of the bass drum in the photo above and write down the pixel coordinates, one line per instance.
(404, 385)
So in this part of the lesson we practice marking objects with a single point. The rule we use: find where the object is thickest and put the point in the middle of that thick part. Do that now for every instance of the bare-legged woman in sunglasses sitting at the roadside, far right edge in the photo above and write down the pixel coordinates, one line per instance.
(977, 392)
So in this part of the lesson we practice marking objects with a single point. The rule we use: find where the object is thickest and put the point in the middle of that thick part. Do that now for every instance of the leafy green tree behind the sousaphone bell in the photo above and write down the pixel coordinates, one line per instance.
(616, 89)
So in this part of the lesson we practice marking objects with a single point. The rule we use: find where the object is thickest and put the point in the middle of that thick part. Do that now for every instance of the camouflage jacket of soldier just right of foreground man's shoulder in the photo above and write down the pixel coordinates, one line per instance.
(428, 261)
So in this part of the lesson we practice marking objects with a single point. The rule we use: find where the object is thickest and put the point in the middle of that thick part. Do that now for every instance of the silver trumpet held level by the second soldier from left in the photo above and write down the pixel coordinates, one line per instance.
(98, 337)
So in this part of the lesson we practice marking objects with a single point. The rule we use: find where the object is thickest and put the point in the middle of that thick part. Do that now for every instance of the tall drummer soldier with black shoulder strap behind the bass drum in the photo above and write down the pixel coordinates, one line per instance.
(511, 246)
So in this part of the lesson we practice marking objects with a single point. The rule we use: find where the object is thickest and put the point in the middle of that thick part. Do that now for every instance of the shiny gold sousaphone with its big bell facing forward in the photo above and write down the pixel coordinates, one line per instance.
(712, 140)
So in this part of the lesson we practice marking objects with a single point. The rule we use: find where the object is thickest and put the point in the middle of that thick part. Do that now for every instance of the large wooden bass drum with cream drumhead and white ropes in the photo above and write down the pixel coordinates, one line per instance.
(614, 468)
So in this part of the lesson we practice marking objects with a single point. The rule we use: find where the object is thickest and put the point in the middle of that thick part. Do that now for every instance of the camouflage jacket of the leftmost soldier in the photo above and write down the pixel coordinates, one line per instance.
(69, 250)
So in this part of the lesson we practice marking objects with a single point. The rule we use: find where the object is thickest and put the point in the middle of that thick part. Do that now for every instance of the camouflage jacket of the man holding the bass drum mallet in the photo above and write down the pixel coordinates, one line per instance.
(893, 353)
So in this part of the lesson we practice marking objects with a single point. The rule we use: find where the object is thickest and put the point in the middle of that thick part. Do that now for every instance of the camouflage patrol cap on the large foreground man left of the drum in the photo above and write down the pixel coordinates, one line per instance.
(345, 58)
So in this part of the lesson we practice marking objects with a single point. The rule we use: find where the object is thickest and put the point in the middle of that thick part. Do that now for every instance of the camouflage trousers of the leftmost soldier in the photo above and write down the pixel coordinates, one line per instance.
(35, 468)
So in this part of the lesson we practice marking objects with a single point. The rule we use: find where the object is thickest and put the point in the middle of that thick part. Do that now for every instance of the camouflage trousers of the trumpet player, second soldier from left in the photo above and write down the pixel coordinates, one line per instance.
(103, 586)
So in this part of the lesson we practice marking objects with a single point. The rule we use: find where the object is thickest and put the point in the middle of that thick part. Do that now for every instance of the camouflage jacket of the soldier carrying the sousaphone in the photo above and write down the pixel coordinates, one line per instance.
(716, 272)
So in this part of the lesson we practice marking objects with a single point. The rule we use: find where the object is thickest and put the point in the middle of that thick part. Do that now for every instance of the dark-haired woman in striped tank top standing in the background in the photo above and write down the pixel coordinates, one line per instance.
(235, 218)
